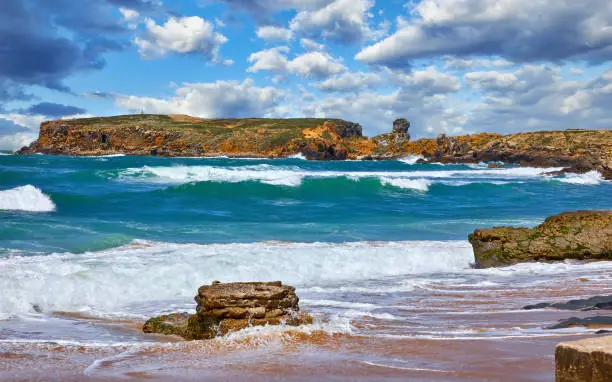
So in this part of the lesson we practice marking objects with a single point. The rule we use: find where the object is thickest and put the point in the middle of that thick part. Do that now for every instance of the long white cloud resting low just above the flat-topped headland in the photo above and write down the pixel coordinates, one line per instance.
(210, 100)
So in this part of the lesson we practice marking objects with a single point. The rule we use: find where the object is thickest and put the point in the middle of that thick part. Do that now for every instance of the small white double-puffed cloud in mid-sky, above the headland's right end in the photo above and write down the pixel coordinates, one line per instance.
(308, 65)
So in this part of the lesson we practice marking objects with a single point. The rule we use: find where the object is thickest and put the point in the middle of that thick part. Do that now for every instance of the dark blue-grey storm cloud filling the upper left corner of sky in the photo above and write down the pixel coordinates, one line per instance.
(44, 42)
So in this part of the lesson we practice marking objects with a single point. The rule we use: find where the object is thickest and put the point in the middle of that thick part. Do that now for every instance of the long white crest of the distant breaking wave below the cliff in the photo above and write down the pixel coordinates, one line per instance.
(293, 175)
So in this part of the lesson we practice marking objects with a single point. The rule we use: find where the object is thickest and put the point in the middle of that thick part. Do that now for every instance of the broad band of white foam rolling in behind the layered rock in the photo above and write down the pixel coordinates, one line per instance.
(146, 272)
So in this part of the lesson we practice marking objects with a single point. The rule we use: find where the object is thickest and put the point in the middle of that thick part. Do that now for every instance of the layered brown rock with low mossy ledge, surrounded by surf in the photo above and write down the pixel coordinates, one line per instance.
(224, 308)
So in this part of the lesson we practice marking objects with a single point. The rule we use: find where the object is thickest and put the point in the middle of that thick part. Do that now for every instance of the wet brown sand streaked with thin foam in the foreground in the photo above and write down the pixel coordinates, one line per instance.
(441, 332)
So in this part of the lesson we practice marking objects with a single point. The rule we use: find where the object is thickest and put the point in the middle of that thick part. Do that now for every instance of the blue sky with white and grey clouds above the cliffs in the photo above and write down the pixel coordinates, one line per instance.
(449, 66)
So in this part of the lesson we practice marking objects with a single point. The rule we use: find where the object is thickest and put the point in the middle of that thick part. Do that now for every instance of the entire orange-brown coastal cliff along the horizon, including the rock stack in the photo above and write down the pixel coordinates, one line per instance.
(318, 139)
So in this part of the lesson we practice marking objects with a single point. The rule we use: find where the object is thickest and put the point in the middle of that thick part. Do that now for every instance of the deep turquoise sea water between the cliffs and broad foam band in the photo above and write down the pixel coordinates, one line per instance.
(101, 203)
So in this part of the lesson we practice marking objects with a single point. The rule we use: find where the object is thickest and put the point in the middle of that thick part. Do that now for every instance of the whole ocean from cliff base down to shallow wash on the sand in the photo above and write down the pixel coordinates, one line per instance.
(92, 247)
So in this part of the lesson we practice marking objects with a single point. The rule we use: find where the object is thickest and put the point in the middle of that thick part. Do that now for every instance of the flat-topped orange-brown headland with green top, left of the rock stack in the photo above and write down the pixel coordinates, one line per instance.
(186, 136)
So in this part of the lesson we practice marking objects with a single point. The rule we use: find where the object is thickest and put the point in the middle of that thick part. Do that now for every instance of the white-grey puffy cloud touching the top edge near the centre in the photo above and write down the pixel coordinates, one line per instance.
(342, 20)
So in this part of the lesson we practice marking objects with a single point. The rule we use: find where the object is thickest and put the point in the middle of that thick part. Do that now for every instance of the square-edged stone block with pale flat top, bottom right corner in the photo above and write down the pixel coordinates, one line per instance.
(587, 360)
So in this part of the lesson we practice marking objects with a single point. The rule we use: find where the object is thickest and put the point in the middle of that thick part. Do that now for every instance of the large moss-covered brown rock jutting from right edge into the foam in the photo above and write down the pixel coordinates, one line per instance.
(580, 235)
